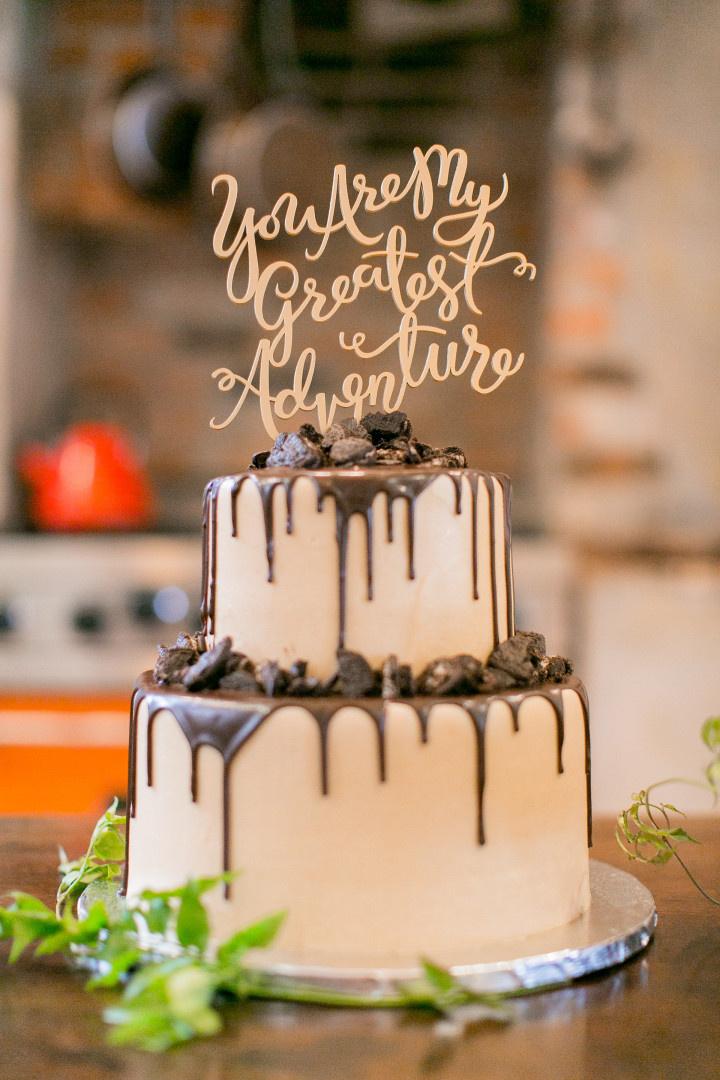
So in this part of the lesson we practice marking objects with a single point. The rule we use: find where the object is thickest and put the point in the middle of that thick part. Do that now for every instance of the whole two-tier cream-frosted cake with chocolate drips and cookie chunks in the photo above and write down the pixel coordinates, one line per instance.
(359, 728)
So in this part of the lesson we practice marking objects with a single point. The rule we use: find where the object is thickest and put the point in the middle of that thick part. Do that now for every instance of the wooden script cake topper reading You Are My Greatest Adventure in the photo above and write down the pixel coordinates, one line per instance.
(280, 293)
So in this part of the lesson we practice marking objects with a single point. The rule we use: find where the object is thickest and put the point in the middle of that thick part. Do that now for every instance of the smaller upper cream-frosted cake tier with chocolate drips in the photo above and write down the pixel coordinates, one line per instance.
(407, 561)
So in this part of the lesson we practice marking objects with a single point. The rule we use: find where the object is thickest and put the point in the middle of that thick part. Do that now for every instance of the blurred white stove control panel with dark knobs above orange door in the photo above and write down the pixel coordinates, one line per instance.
(86, 613)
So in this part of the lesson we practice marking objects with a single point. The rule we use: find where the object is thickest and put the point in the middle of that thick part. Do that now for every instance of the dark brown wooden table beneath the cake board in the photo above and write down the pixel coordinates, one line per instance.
(656, 1018)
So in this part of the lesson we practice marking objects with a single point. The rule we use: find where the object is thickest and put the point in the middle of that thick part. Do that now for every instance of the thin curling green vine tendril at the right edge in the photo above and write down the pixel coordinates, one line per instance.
(645, 831)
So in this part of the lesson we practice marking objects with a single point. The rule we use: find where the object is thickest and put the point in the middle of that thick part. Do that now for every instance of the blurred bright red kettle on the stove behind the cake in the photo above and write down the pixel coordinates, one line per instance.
(92, 480)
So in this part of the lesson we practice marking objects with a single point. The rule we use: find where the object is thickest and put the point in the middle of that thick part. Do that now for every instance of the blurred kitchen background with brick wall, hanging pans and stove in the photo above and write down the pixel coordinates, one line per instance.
(115, 115)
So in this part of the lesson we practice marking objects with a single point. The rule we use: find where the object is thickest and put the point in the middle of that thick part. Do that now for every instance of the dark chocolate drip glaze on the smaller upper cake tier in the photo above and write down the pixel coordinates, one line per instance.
(356, 496)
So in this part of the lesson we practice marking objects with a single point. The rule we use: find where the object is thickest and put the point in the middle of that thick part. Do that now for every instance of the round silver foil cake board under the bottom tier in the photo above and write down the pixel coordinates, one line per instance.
(619, 924)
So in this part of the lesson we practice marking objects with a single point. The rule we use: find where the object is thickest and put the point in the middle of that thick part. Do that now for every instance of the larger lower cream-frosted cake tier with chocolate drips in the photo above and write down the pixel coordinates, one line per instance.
(386, 830)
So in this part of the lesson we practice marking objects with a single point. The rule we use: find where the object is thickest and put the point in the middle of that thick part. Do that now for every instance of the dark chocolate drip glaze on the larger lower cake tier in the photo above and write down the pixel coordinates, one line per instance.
(227, 723)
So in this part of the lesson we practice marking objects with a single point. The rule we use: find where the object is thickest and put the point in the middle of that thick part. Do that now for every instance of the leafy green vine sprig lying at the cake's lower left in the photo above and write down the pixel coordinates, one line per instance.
(166, 1001)
